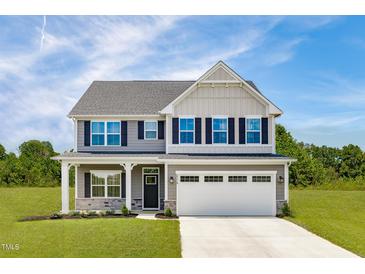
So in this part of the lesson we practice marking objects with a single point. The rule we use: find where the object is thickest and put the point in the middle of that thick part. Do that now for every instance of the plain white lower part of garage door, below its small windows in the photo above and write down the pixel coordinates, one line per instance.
(226, 198)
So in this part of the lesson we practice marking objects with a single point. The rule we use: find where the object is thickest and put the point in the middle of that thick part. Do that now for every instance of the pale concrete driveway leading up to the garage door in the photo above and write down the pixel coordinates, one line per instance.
(247, 237)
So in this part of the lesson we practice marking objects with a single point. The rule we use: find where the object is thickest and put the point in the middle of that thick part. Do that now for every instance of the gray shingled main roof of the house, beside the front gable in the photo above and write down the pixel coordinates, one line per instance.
(130, 97)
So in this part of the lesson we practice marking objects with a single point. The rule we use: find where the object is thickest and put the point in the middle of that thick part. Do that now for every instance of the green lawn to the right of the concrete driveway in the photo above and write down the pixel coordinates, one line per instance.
(338, 216)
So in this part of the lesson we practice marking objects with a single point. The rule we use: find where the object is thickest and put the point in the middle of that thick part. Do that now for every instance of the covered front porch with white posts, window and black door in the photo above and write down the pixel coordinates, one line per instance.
(108, 183)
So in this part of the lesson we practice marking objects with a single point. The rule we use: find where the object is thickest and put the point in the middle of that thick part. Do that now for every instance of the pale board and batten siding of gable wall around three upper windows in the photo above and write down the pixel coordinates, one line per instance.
(232, 101)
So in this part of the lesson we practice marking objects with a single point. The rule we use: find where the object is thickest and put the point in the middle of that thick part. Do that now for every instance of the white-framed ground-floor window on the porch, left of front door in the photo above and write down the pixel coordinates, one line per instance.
(106, 184)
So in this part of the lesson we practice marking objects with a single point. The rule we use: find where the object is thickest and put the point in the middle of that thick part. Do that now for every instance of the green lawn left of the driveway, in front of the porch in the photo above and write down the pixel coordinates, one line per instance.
(78, 238)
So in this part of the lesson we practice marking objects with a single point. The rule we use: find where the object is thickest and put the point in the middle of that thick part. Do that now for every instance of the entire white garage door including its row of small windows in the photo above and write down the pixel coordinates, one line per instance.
(226, 193)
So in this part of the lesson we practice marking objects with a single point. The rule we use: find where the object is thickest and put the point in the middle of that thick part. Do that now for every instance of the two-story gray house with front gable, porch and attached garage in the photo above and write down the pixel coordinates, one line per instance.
(204, 147)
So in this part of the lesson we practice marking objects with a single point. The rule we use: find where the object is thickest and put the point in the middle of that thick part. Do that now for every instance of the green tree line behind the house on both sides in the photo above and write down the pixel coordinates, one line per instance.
(315, 165)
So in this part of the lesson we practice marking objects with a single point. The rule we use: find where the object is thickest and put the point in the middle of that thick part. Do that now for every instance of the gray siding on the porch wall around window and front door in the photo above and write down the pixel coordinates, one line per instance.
(136, 178)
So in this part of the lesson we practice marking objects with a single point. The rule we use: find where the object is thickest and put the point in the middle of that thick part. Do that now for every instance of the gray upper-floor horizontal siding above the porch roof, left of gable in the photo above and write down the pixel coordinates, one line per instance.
(133, 143)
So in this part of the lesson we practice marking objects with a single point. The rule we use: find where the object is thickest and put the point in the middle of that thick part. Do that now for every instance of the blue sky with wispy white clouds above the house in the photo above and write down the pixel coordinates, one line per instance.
(311, 67)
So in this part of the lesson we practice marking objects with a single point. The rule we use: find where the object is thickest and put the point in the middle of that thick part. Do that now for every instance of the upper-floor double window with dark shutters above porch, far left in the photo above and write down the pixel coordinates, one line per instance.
(105, 133)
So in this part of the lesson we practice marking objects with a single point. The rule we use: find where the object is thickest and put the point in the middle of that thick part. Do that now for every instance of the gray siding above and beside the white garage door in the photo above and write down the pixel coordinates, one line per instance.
(173, 168)
